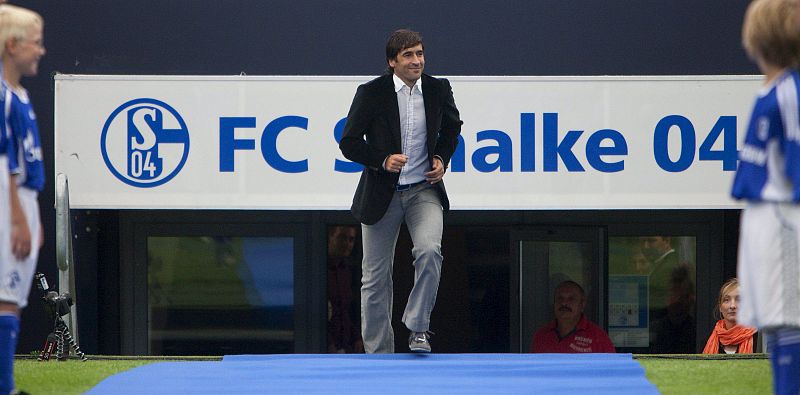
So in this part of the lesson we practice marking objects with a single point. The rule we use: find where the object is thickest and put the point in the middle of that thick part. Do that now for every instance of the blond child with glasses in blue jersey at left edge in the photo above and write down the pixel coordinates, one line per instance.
(21, 48)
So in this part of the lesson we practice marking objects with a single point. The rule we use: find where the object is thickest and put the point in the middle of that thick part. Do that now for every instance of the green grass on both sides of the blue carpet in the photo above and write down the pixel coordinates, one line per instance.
(673, 375)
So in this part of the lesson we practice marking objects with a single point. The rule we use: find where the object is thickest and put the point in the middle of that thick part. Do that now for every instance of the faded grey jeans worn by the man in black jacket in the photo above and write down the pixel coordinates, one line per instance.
(421, 210)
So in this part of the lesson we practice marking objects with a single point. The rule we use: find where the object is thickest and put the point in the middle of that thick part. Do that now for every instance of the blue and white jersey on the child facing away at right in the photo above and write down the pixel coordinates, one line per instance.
(769, 161)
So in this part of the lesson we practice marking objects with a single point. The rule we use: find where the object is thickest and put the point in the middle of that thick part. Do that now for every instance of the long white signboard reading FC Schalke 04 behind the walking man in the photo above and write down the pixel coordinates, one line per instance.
(242, 142)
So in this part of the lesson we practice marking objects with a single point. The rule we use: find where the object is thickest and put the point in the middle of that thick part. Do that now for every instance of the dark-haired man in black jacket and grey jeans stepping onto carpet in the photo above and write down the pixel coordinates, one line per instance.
(403, 127)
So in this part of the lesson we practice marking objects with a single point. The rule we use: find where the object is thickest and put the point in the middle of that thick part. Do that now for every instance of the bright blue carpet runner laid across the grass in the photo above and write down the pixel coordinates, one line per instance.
(388, 374)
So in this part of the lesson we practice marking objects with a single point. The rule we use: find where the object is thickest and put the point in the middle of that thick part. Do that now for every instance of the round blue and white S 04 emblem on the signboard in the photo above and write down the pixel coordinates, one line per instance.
(145, 142)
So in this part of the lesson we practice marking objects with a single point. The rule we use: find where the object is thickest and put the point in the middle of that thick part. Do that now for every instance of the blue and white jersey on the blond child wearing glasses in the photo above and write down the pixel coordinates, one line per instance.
(25, 147)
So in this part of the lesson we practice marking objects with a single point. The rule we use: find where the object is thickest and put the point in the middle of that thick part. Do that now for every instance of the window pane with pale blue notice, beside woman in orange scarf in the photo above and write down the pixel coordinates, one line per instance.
(652, 293)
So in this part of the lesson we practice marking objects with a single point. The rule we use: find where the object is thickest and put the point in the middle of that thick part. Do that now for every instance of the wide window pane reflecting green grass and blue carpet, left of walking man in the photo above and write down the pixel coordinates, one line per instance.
(220, 295)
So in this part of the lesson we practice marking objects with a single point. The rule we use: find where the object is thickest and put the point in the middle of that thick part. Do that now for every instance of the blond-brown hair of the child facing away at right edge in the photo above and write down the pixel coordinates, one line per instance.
(770, 32)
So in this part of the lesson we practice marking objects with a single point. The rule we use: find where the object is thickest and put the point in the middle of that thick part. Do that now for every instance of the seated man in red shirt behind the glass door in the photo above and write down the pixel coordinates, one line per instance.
(571, 331)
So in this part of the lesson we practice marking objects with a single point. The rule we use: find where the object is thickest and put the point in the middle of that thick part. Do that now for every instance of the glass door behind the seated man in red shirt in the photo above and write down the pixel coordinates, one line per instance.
(543, 258)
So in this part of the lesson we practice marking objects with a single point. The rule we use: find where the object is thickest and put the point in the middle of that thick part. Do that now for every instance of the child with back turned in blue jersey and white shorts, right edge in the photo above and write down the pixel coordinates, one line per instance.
(768, 179)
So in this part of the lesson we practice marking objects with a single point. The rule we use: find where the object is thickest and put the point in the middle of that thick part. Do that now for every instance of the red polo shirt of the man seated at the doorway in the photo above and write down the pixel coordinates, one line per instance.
(587, 337)
